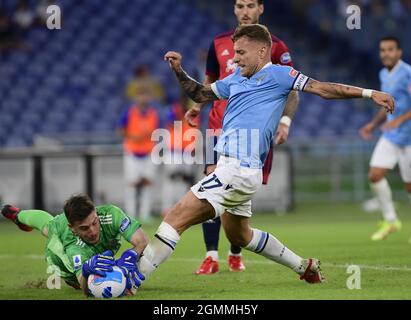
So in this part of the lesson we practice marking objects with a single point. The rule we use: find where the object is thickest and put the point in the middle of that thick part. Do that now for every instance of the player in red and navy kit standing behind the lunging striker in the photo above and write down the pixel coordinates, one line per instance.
(220, 64)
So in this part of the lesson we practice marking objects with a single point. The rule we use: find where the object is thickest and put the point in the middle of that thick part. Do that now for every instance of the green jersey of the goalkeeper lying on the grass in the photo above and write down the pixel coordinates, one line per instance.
(68, 252)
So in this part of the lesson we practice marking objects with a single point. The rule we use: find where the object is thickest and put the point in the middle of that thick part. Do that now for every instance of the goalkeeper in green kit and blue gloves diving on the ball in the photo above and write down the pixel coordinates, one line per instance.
(84, 239)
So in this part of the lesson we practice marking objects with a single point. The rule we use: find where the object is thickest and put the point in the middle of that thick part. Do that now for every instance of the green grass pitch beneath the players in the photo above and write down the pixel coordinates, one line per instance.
(337, 234)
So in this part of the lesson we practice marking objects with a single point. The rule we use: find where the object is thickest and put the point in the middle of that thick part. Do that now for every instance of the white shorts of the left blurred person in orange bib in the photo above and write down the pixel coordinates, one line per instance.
(136, 168)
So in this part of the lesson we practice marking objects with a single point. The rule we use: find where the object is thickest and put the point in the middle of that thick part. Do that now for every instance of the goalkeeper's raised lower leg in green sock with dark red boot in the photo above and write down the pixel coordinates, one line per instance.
(26, 220)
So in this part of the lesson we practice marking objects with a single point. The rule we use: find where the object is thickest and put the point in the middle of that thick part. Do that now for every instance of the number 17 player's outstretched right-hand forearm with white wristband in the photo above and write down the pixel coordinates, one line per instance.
(328, 90)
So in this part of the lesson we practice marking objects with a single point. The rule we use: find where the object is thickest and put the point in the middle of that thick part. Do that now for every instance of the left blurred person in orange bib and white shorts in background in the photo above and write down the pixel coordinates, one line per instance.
(136, 125)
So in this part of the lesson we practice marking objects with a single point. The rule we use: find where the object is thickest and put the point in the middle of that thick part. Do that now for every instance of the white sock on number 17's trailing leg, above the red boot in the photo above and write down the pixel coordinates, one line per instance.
(268, 246)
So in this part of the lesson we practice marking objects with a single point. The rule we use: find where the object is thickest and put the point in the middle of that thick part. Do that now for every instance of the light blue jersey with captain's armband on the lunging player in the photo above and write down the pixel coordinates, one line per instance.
(255, 106)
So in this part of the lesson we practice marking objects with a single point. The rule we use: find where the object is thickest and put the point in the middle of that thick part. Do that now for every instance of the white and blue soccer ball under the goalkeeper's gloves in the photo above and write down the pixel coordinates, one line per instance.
(113, 285)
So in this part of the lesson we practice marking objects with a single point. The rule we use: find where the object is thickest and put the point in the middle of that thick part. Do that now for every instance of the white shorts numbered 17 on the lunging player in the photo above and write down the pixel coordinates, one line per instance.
(230, 187)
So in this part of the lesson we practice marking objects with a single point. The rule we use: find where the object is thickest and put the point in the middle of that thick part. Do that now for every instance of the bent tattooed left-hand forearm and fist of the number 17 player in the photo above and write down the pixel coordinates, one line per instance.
(196, 91)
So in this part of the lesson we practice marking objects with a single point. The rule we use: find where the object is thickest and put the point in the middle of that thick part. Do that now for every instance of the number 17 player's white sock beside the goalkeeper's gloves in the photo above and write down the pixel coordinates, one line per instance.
(159, 249)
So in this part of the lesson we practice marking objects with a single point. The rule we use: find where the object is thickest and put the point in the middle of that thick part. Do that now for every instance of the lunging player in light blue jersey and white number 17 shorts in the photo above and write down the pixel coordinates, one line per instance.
(257, 92)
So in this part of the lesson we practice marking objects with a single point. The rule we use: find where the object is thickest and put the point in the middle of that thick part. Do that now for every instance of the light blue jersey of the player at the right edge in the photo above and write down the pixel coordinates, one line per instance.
(397, 83)
